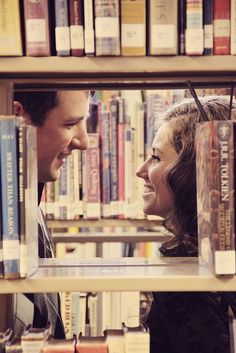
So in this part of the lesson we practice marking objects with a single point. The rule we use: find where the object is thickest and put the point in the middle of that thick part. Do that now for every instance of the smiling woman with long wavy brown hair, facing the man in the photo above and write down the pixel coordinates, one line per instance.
(182, 322)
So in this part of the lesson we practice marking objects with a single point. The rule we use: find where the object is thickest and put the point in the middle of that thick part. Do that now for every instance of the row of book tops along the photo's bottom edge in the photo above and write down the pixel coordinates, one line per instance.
(124, 340)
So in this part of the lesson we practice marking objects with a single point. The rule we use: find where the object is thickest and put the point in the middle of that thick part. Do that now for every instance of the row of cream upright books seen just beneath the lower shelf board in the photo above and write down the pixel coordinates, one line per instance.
(94, 312)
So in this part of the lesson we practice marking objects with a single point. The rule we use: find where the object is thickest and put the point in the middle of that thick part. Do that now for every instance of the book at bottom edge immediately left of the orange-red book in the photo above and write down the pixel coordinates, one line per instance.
(56, 345)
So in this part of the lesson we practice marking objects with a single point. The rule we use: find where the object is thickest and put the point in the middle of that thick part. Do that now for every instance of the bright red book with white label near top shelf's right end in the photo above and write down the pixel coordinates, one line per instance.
(221, 23)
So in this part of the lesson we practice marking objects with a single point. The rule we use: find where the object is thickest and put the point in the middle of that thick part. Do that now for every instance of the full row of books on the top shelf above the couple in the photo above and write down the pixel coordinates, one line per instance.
(114, 28)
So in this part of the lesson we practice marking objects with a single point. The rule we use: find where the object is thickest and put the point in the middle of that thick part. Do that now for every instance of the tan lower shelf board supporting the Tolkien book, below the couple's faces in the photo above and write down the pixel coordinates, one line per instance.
(127, 274)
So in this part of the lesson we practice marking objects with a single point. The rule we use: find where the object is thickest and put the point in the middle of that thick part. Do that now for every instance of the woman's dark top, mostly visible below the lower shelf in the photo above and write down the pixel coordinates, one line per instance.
(188, 322)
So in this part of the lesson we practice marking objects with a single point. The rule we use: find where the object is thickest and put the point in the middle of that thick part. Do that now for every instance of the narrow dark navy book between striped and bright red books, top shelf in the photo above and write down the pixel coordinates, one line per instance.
(208, 27)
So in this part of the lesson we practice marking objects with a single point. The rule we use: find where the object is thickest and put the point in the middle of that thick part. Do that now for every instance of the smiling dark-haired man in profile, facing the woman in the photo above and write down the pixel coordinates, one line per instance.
(59, 117)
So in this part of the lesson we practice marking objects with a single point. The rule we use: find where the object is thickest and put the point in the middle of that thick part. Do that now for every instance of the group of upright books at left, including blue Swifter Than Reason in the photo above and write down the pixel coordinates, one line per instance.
(19, 198)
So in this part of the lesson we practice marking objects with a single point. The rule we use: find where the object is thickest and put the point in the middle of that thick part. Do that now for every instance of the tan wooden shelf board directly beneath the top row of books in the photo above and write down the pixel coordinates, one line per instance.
(119, 72)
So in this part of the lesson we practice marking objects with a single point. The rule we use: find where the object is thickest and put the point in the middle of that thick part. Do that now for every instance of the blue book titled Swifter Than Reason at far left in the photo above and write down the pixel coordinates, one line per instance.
(10, 201)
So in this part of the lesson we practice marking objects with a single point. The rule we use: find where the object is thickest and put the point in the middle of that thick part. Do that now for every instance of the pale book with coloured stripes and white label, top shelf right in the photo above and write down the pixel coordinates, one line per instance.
(194, 27)
